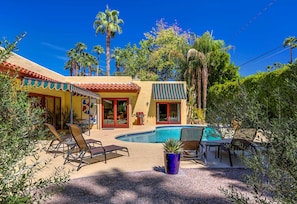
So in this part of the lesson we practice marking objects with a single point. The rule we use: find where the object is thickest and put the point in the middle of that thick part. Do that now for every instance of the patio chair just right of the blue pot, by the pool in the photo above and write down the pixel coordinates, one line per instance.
(192, 147)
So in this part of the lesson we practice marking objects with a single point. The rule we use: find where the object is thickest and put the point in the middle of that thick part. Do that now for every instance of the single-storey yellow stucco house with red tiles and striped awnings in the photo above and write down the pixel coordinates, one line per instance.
(100, 101)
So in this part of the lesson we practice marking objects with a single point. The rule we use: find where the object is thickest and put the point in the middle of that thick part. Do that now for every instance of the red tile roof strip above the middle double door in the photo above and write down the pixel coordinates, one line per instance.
(110, 87)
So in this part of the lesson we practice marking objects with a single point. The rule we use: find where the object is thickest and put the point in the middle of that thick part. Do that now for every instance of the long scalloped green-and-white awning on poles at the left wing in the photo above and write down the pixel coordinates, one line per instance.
(58, 86)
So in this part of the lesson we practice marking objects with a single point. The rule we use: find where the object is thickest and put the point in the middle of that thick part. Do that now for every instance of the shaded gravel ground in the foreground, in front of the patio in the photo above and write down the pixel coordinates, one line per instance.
(199, 185)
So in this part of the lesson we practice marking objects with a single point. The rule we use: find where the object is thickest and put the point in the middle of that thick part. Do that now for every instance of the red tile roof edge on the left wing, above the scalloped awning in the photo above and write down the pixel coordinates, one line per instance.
(22, 72)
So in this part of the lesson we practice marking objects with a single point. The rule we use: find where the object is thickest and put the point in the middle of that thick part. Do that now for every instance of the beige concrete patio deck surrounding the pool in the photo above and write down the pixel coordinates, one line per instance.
(143, 156)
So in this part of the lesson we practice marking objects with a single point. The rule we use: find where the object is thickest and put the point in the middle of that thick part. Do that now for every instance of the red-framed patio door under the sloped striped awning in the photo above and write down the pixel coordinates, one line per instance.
(168, 113)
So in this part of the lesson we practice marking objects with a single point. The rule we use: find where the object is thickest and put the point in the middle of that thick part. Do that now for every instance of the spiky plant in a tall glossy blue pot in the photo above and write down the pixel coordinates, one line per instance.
(172, 153)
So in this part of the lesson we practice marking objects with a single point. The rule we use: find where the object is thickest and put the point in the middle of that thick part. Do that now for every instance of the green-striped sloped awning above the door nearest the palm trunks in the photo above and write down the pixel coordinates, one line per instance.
(169, 91)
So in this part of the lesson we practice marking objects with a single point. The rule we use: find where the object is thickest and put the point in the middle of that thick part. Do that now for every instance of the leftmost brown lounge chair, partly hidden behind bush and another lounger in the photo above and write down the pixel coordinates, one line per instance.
(58, 141)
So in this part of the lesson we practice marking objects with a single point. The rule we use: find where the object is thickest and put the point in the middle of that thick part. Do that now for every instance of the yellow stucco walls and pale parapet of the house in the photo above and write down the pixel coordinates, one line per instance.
(138, 102)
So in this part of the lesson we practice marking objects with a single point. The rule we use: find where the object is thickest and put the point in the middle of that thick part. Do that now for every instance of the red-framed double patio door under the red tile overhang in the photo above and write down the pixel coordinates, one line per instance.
(115, 112)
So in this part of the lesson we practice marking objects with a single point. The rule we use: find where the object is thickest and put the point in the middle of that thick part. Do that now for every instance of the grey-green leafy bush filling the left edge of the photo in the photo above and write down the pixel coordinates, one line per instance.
(21, 135)
